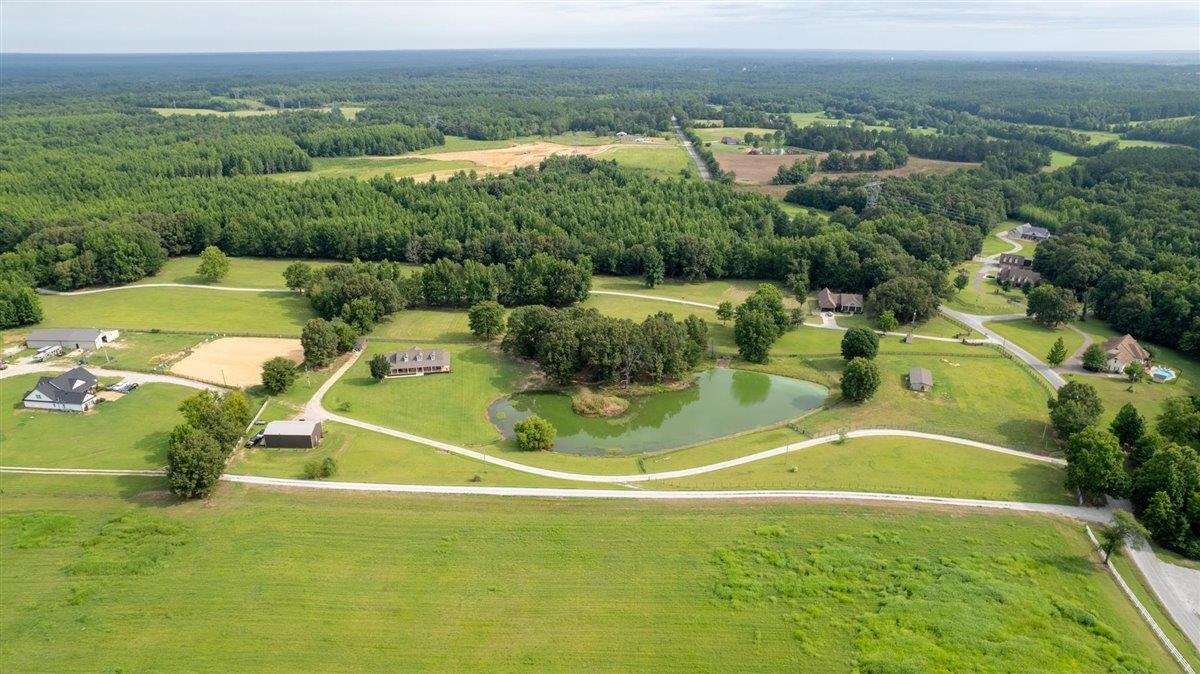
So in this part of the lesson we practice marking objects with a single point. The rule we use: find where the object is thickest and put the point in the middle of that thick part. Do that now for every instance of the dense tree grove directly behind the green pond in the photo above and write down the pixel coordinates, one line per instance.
(583, 345)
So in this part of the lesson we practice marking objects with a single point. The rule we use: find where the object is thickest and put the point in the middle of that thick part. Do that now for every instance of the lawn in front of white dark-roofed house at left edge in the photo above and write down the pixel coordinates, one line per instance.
(130, 434)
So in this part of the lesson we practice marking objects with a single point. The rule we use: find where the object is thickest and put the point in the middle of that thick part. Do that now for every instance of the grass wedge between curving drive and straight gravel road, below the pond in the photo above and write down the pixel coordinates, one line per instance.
(902, 466)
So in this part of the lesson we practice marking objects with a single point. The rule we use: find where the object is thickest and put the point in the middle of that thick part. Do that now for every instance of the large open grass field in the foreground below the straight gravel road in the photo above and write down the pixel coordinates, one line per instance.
(454, 583)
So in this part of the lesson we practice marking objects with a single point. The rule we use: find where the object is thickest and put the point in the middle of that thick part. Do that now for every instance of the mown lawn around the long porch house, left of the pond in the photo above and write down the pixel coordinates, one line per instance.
(445, 407)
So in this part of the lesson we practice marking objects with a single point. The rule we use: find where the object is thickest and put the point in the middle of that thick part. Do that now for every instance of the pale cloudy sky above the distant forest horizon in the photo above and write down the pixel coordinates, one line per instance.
(321, 26)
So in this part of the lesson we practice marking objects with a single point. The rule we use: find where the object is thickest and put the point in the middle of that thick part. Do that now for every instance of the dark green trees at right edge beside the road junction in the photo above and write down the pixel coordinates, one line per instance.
(1157, 468)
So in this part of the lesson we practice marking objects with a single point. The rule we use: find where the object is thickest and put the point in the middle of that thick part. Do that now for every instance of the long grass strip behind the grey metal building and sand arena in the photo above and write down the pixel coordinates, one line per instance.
(195, 310)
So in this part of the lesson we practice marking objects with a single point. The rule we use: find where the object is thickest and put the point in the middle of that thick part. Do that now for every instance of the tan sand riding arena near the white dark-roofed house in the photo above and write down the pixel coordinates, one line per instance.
(236, 362)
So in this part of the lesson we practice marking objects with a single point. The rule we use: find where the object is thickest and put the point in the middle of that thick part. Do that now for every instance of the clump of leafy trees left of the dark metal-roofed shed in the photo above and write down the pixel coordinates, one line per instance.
(200, 447)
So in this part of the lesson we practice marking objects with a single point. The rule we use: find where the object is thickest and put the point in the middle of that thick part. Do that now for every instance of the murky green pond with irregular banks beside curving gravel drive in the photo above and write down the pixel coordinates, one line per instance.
(722, 402)
